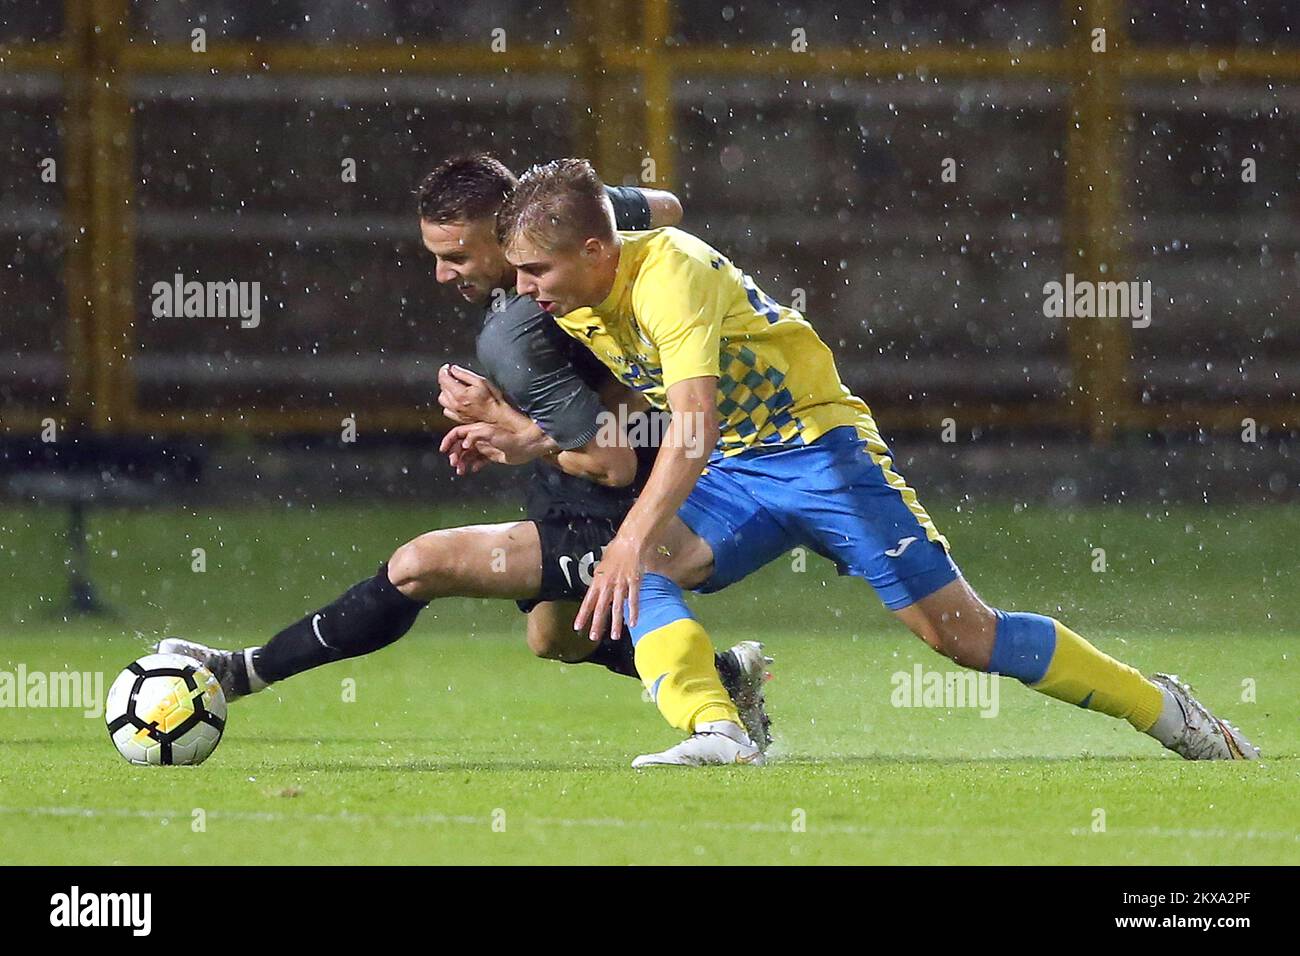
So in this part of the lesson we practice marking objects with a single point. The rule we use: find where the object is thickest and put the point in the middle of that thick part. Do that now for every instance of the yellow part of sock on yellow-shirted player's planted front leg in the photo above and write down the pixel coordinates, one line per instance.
(677, 665)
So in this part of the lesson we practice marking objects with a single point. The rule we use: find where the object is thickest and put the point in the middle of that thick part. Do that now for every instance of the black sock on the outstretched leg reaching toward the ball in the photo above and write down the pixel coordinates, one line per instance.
(370, 616)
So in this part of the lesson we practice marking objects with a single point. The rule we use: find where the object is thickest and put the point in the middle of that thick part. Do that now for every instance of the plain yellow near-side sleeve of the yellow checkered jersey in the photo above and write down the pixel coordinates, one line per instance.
(679, 304)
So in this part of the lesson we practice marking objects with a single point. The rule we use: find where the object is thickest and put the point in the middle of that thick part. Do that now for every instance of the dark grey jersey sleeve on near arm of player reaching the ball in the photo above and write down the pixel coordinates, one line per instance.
(531, 362)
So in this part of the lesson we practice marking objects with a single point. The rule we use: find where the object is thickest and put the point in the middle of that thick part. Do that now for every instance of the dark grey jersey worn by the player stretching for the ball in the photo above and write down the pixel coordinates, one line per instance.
(556, 382)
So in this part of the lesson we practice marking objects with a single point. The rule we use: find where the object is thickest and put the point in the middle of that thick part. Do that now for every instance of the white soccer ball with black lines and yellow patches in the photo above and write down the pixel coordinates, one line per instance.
(166, 710)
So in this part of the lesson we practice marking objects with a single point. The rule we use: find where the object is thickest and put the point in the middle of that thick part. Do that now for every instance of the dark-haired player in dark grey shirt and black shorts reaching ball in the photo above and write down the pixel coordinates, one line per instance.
(543, 393)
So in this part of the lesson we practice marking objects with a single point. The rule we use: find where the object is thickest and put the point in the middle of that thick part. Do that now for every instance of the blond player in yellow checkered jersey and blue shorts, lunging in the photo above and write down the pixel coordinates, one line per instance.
(769, 451)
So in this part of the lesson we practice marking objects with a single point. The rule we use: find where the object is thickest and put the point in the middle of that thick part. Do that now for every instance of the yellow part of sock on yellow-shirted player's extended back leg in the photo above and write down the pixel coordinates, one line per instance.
(1084, 676)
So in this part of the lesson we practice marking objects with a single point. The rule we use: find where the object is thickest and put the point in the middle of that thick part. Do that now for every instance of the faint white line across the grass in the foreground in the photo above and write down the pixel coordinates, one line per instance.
(614, 823)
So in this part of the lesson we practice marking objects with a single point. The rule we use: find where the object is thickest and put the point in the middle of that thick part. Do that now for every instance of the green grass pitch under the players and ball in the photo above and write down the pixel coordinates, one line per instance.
(463, 749)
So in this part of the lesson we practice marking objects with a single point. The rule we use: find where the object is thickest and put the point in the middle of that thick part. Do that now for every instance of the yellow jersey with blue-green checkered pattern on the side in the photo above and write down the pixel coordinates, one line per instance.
(682, 310)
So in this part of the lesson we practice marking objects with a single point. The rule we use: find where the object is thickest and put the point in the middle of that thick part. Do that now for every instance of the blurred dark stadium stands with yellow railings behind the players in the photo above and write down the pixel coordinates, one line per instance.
(818, 170)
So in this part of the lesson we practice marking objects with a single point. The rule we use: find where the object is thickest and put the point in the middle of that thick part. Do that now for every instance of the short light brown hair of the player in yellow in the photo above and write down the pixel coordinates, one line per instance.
(558, 205)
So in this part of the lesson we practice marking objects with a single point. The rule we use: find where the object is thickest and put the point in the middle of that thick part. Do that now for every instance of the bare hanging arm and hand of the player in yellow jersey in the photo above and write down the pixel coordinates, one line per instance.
(683, 456)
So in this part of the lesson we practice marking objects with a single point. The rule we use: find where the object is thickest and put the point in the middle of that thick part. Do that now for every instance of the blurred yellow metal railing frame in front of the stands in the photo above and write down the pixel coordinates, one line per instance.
(618, 42)
